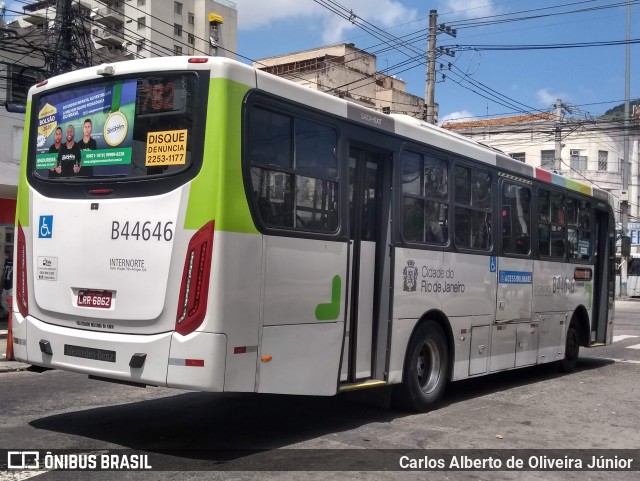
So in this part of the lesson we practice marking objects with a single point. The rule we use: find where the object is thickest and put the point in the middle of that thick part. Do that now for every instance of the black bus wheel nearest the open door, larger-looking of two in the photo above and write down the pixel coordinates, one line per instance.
(426, 369)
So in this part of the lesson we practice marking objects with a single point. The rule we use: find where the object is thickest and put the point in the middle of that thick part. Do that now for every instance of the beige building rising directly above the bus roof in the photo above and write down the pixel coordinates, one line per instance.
(348, 72)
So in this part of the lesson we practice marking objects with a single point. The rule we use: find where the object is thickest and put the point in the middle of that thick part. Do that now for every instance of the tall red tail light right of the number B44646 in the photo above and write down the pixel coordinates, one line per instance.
(192, 303)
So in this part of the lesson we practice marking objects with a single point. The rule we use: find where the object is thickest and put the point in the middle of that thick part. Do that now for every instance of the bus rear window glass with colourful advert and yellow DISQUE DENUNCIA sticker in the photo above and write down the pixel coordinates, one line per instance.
(126, 128)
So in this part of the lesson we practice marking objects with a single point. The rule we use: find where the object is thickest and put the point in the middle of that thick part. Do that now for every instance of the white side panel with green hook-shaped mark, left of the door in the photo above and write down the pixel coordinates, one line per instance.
(303, 314)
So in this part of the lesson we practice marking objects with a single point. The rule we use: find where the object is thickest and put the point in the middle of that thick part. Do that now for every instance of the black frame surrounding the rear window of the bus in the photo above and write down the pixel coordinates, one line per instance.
(142, 186)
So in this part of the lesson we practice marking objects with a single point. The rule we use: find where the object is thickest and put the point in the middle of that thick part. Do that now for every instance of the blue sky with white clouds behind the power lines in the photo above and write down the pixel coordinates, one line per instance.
(480, 82)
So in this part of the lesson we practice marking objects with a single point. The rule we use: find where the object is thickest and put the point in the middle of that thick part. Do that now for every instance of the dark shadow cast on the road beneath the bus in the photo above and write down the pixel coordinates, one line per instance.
(194, 425)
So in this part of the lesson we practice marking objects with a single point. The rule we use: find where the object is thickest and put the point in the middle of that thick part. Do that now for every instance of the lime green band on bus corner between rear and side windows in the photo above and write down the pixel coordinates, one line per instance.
(218, 191)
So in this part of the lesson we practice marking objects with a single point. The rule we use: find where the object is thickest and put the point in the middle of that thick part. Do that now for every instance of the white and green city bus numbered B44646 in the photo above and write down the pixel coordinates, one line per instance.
(195, 223)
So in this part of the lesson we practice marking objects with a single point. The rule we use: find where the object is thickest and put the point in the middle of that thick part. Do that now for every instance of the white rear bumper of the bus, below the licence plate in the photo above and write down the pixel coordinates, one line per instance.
(170, 360)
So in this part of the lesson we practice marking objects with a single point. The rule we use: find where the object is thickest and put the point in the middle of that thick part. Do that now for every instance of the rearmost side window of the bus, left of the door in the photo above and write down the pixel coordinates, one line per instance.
(293, 171)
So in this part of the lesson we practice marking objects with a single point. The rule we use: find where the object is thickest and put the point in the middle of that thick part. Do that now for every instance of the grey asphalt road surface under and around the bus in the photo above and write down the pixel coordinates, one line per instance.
(534, 408)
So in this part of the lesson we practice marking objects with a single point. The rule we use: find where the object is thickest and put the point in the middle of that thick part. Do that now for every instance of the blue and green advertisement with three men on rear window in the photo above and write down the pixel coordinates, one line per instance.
(86, 130)
